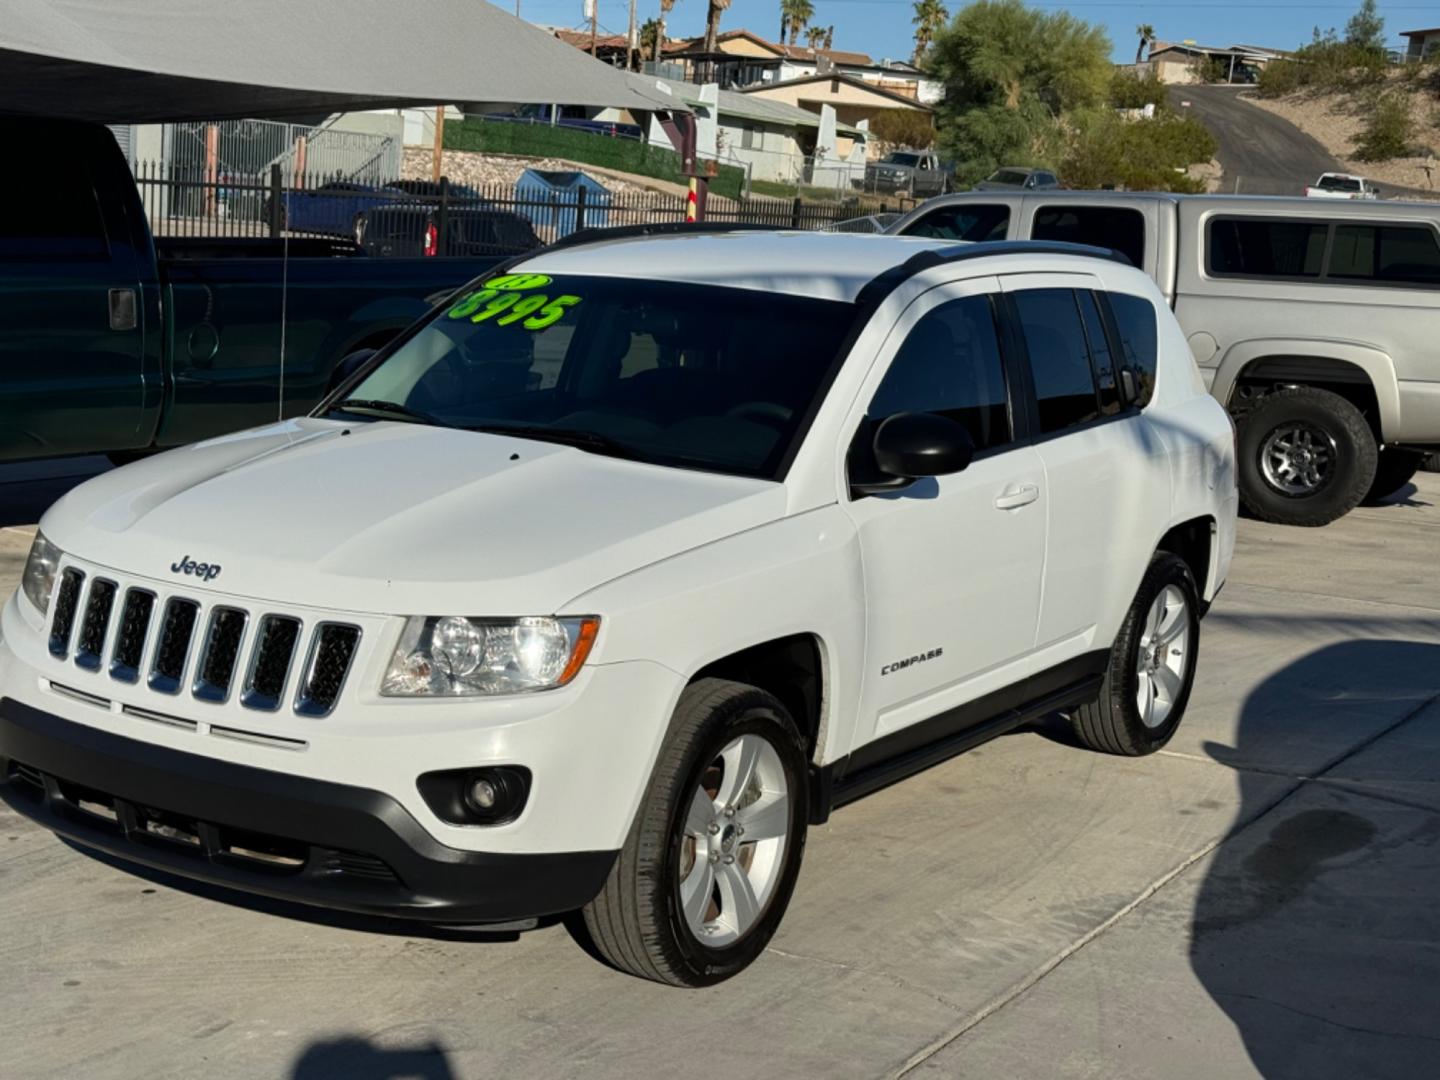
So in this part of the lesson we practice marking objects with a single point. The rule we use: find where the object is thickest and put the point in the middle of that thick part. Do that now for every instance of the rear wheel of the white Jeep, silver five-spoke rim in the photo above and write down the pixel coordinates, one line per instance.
(1153, 660)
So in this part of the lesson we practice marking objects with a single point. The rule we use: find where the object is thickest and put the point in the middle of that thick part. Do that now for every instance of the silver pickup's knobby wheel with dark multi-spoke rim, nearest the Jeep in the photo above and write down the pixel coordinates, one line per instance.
(1307, 457)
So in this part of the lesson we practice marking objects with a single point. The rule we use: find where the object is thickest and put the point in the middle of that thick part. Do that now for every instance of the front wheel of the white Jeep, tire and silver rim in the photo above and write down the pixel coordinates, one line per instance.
(714, 855)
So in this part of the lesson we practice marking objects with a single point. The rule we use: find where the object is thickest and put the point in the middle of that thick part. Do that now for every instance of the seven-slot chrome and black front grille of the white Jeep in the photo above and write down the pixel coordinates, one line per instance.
(207, 650)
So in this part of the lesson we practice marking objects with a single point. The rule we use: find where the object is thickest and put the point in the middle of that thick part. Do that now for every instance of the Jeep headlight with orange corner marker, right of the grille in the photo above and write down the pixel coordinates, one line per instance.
(453, 656)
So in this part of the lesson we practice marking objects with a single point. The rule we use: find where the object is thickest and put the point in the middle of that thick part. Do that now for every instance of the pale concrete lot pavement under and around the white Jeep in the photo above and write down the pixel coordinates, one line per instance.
(1255, 901)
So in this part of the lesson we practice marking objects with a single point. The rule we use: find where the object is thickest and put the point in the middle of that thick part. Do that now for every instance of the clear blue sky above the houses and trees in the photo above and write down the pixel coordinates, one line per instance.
(882, 28)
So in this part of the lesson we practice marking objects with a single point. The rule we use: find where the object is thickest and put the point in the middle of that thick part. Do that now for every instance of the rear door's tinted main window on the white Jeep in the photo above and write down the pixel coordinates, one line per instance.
(1059, 358)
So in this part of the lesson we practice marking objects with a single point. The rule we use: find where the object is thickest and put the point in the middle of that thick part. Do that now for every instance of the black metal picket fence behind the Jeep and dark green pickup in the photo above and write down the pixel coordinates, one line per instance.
(420, 218)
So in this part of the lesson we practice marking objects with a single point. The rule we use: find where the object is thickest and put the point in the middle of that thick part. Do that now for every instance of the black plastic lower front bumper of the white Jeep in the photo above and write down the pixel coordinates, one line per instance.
(270, 833)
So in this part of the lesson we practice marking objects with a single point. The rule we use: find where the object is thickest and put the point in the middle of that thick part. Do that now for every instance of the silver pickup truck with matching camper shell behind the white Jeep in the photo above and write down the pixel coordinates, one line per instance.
(1315, 323)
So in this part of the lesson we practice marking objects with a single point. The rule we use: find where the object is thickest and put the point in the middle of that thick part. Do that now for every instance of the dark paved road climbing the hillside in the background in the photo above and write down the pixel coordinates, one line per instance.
(1262, 152)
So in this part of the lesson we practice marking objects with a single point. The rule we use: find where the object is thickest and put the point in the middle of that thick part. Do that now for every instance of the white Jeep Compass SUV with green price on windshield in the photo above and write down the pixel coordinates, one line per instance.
(621, 570)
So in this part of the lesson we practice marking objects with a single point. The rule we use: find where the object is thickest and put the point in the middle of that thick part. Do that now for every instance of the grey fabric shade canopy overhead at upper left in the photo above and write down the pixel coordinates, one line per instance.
(139, 61)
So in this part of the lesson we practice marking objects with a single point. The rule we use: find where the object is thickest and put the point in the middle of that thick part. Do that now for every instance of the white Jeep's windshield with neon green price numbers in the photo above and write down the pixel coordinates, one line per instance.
(670, 374)
